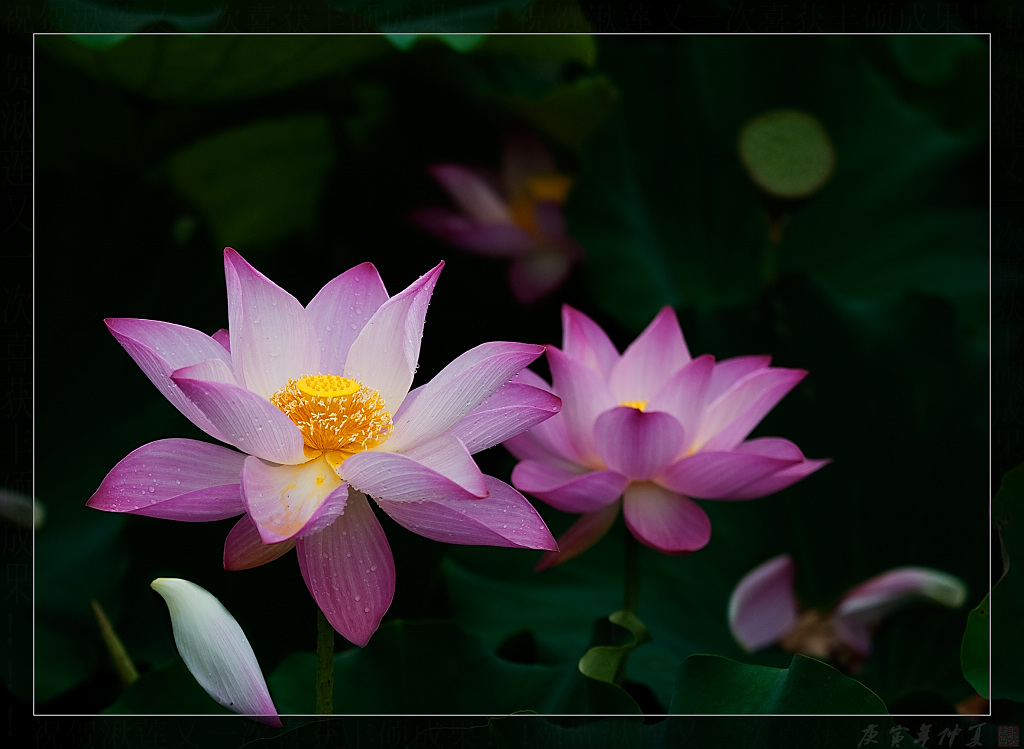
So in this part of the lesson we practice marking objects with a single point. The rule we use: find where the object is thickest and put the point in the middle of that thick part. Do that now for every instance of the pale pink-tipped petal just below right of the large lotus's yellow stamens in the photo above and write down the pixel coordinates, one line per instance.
(403, 479)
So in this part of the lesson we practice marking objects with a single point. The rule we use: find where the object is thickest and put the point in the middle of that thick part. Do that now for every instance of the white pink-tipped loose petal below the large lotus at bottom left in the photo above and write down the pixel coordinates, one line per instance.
(216, 650)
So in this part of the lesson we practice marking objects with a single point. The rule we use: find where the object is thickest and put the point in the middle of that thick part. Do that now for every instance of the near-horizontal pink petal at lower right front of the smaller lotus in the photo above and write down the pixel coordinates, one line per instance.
(721, 475)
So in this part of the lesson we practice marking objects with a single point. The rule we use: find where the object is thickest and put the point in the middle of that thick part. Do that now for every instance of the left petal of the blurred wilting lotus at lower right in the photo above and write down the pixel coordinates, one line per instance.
(763, 607)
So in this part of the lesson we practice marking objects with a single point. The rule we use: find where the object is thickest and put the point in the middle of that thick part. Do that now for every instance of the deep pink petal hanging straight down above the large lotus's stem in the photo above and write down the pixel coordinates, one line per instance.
(350, 571)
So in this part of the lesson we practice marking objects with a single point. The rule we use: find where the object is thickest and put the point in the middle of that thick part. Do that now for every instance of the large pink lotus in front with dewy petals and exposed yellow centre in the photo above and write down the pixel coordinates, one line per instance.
(317, 400)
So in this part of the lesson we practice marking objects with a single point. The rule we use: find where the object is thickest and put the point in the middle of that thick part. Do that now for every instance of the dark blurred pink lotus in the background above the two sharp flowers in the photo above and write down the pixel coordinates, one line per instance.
(518, 216)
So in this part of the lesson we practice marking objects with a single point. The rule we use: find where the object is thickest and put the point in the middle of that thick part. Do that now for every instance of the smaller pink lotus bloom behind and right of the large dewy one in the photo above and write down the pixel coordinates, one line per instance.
(655, 429)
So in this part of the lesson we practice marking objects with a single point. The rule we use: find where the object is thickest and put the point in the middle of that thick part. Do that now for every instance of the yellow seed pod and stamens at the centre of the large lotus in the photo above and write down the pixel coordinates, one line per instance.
(335, 414)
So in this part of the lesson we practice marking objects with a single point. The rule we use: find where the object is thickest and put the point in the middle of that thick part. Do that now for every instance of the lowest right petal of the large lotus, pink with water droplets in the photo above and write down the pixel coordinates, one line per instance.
(503, 519)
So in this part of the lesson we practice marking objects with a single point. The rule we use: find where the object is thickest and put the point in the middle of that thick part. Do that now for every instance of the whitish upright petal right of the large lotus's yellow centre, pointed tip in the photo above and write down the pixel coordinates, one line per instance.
(386, 353)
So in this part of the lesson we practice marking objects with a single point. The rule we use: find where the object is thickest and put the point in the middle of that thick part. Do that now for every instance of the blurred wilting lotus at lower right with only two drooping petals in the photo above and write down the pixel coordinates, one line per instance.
(763, 610)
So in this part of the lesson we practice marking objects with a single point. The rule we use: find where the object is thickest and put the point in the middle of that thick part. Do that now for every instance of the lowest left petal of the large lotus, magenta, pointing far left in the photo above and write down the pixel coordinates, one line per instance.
(178, 480)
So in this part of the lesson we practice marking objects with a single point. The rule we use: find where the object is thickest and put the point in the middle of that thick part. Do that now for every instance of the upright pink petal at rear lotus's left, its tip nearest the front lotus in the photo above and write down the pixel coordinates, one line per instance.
(585, 397)
